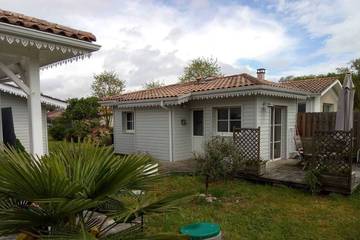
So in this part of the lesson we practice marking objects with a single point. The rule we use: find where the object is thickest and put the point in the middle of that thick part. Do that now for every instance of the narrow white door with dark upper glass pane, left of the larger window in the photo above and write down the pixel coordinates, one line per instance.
(197, 131)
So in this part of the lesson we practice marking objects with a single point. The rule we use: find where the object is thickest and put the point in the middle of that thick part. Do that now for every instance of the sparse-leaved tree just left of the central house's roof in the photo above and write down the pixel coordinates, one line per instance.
(107, 84)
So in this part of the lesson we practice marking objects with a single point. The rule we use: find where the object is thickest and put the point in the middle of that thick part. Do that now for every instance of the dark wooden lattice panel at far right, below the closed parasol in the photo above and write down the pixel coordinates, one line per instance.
(333, 152)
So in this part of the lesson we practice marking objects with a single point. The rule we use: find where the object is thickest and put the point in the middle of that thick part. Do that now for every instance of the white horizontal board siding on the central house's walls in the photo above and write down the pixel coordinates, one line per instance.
(152, 126)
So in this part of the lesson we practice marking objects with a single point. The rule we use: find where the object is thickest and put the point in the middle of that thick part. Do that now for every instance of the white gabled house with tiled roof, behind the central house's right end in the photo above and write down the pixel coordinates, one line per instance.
(324, 93)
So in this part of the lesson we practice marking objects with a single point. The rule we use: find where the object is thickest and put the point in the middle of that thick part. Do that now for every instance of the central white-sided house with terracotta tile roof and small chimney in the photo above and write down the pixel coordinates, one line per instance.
(172, 122)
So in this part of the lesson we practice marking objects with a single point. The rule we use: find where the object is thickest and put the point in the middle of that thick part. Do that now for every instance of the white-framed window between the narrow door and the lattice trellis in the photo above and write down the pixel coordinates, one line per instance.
(228, 119)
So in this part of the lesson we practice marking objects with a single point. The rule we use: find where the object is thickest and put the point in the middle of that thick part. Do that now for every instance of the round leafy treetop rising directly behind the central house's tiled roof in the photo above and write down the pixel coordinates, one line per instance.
(200, 68)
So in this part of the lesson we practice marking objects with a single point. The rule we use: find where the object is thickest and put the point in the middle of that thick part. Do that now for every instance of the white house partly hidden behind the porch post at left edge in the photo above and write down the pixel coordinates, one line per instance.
(14, 112)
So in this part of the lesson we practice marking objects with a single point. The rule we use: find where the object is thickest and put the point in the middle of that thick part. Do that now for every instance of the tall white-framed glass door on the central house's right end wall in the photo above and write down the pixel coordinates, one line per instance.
(275, 133)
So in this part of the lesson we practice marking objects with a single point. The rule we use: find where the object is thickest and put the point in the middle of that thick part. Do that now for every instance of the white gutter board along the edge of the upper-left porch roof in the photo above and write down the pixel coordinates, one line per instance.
(48, 37)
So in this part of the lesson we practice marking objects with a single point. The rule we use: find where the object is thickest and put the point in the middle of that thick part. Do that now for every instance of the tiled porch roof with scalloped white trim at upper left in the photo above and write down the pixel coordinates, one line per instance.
(52, 44)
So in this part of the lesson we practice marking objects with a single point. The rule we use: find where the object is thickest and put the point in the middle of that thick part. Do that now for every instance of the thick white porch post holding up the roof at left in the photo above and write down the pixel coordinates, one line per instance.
(32, 78)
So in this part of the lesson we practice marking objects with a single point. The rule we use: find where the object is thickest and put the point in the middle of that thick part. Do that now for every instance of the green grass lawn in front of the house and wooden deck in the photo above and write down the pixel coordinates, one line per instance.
(254, 211)
